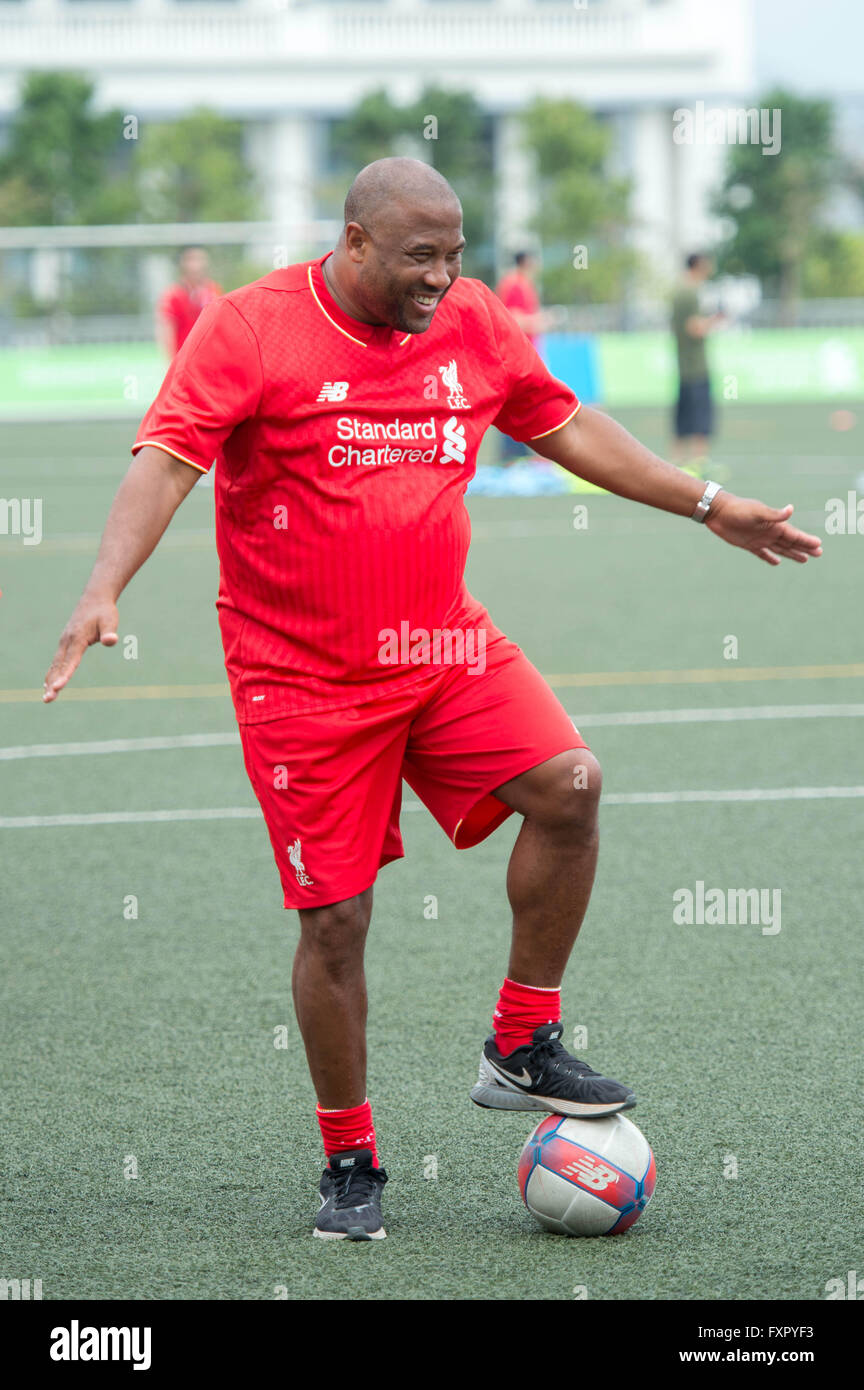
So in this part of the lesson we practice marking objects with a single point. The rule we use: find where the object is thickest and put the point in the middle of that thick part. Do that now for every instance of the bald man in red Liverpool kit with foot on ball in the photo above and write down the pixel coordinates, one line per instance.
(347, 400)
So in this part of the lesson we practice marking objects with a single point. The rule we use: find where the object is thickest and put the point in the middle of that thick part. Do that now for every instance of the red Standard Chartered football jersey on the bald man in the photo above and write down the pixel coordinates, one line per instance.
(345, 451)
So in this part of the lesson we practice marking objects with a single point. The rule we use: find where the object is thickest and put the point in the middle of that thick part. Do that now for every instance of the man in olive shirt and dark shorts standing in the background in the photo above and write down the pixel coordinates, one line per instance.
(694, 411)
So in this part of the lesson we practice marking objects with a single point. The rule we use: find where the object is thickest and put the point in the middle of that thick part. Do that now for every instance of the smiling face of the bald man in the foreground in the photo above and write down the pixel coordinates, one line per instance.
(406, 265)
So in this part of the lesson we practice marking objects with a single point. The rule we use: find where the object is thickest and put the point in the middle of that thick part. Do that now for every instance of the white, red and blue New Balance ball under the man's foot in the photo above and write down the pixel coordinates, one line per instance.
(587, 1178)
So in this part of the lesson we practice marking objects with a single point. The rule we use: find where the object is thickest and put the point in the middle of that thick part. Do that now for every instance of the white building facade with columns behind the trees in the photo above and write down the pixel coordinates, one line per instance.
(283, 66)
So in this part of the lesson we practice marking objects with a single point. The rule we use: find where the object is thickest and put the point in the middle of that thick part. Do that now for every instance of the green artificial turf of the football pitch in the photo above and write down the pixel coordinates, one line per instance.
(152, 1040)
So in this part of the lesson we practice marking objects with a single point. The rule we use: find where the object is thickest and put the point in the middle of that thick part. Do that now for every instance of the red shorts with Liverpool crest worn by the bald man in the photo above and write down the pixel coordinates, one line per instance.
(330, 783)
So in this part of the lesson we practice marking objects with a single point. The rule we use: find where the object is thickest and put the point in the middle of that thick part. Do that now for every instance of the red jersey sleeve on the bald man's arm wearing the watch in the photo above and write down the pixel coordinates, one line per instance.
(537, 404)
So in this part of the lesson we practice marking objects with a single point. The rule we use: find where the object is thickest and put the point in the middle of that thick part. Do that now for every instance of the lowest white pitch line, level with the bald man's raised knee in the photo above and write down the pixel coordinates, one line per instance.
(640, 799)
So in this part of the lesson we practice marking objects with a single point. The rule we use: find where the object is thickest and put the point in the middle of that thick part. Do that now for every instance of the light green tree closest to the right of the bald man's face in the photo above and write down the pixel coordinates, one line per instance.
(580, 205)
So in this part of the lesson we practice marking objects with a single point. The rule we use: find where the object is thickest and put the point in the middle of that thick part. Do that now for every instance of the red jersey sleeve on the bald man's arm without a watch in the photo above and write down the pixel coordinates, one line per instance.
(213, 384)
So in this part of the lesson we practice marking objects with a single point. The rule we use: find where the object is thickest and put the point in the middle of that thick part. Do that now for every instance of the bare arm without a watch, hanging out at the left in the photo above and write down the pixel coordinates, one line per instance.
(147, 500)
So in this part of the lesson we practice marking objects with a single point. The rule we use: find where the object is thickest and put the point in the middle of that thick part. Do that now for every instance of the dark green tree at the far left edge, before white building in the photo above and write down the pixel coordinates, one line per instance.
(65, 163)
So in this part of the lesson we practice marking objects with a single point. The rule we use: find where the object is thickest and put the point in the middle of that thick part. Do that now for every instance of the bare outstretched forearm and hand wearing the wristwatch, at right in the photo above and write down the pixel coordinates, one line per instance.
(597, 448)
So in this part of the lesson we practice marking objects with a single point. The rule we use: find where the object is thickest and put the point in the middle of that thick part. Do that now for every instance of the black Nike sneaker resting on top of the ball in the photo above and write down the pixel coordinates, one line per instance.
(544, 1077)
